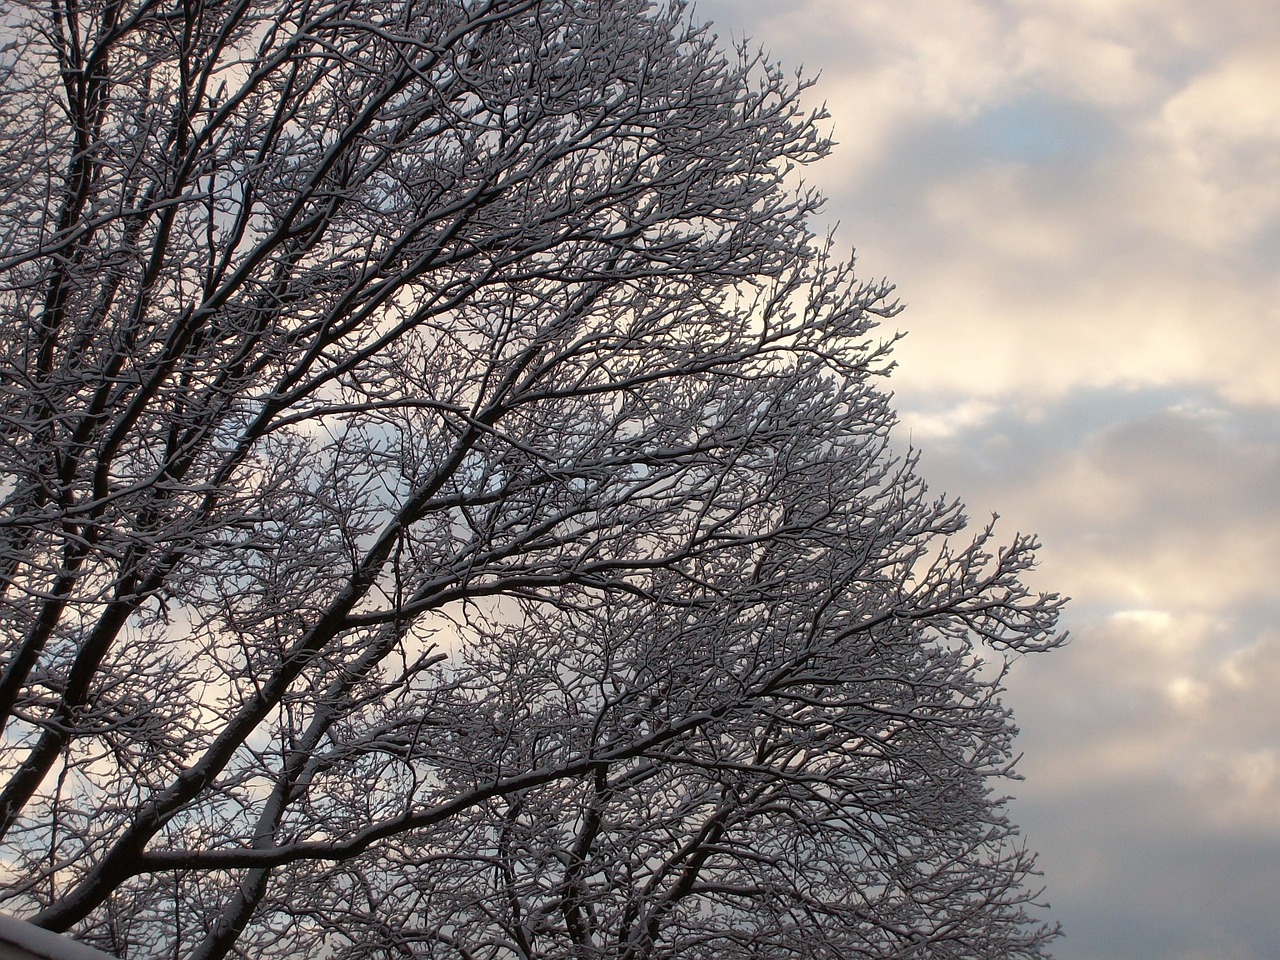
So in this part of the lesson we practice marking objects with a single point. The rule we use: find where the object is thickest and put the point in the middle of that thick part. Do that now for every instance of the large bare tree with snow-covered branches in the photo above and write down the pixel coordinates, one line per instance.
(449, 506)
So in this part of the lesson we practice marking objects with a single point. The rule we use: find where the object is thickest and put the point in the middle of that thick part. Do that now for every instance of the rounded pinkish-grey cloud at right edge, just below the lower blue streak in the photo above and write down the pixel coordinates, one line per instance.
(1178, 511)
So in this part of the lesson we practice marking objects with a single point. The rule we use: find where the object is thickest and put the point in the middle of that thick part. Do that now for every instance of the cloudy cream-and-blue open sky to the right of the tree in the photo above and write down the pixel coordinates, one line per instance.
(1080, 203)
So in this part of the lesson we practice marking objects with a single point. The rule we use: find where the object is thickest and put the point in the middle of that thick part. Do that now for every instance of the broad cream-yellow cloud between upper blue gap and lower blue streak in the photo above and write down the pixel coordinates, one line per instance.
(1096, 272)
